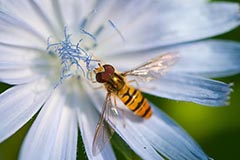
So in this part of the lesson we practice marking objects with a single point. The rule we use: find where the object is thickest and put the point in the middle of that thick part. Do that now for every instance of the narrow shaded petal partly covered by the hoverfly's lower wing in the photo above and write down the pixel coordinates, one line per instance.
(88, 118)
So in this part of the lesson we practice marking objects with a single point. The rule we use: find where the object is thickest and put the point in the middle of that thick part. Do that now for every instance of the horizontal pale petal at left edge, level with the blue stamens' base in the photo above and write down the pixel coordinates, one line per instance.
(20, 65)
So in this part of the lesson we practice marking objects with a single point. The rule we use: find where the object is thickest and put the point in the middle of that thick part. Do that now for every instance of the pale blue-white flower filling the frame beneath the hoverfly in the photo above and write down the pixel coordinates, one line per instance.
(63, 96)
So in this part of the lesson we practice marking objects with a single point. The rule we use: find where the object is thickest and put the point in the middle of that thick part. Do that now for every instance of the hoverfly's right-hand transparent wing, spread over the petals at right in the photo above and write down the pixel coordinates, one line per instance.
(153, 68)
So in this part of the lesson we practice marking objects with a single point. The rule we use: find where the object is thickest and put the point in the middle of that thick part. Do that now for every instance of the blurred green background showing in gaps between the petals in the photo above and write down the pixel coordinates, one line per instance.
(217, 130)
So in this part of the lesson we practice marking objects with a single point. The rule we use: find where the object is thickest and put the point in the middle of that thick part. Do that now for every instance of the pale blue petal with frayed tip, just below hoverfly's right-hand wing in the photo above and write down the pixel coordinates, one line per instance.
(189, 88)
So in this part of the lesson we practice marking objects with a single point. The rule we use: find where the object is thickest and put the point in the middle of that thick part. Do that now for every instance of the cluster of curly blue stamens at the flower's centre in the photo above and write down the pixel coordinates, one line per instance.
(71, 55)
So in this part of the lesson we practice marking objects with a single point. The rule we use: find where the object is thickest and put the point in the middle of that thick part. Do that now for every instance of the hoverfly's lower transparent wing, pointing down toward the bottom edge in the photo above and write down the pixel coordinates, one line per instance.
(104, 131)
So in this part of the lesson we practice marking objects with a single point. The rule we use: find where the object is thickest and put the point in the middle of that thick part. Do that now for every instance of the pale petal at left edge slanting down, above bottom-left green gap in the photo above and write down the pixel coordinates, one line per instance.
(18, 104)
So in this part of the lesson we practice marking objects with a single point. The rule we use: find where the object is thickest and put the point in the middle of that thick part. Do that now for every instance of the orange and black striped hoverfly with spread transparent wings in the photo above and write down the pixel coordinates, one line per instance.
(116, 85)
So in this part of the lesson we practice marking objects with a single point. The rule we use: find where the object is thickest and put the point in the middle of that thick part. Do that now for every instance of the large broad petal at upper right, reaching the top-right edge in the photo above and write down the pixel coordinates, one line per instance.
(156, 28)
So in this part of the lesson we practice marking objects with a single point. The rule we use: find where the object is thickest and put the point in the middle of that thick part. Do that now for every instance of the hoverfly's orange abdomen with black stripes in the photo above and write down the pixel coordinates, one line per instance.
(134, 100)
